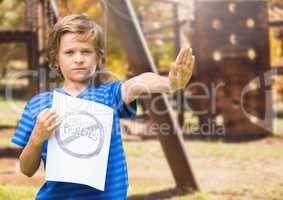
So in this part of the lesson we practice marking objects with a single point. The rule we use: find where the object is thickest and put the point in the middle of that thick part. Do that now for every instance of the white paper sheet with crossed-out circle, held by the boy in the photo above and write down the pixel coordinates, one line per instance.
(78, 150)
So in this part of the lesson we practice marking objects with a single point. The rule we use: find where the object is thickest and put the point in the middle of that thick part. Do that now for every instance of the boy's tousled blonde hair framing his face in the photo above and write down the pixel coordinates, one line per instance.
(88, 30)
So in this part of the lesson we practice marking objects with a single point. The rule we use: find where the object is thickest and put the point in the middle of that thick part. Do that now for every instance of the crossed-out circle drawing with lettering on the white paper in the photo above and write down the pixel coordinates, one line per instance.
(80, 135)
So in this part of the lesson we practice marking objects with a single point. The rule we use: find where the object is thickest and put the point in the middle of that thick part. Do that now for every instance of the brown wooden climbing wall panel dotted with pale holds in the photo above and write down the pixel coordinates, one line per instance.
(231, 44)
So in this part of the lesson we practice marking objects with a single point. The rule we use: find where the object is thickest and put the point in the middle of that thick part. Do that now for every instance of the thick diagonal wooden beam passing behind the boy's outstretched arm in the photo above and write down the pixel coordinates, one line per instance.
(123, 16)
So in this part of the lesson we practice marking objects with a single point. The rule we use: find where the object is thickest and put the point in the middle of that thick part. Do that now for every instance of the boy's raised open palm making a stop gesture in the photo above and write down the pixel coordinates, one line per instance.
(181, 69)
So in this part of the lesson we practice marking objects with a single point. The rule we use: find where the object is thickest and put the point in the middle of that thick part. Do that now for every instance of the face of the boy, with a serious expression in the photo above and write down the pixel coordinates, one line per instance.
(77, 58)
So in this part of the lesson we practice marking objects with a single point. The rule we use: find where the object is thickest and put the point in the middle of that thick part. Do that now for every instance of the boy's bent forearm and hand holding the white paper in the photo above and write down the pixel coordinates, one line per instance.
(30, 157)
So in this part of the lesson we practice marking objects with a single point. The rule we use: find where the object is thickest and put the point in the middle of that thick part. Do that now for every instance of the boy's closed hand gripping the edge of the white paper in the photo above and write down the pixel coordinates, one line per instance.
(47, 121)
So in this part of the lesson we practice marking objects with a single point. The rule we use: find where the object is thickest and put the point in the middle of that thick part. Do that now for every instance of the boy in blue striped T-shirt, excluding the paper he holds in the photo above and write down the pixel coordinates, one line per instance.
(76, 52)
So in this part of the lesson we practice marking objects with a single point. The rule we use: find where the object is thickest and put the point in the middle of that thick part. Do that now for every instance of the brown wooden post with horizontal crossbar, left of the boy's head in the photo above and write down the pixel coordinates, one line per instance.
(34, 37)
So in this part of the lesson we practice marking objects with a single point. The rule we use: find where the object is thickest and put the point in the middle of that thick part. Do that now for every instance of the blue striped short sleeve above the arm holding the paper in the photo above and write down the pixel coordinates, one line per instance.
(24, 128)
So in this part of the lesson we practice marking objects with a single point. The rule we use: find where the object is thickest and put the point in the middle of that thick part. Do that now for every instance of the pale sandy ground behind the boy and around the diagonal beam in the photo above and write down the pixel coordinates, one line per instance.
(223, 176)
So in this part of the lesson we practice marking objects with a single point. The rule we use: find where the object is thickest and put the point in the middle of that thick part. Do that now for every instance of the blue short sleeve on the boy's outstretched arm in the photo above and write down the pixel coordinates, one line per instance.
(124, 110)
